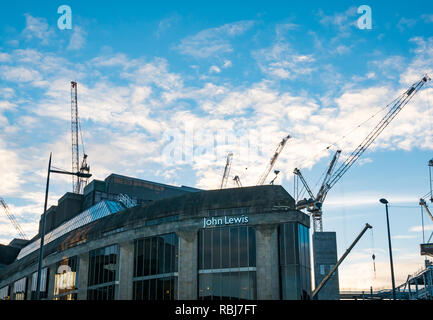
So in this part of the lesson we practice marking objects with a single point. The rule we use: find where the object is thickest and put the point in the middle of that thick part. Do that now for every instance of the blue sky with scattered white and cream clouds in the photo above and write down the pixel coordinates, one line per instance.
(166, 89)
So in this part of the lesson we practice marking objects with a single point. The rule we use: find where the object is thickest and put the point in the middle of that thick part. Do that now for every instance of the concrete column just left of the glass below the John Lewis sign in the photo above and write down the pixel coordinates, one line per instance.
(187, 273)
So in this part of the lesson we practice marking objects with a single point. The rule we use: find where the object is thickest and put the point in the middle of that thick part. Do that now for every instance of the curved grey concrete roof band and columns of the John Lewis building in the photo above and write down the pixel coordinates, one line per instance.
(264, 215)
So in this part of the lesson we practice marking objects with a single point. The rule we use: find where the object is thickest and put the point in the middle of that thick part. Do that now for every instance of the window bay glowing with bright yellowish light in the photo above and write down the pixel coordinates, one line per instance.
(66, 279)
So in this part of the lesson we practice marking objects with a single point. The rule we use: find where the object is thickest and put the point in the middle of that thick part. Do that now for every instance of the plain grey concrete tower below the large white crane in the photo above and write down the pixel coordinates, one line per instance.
(325, 257)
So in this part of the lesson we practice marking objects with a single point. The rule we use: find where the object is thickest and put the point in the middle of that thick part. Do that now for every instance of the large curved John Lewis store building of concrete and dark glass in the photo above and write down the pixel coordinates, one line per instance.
(126, 238)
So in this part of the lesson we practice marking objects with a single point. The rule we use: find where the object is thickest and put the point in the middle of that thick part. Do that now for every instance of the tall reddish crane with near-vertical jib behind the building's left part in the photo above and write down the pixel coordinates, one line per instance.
(78, 183)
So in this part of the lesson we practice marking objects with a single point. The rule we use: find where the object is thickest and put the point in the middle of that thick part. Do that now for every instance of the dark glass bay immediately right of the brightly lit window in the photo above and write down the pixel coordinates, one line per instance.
(103, 272)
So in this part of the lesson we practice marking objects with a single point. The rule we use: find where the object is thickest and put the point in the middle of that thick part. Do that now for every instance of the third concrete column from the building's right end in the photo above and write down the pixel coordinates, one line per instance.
(126, 271)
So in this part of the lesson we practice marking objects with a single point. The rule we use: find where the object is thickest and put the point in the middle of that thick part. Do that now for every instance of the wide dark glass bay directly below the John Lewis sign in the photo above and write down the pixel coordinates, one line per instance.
(227, 263)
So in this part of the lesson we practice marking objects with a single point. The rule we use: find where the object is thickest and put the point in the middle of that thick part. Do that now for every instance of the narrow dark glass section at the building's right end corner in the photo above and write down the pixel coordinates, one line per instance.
(295, 270)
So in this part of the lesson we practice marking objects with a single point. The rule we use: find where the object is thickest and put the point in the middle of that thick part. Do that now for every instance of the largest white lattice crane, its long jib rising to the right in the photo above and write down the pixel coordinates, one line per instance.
(314, 204)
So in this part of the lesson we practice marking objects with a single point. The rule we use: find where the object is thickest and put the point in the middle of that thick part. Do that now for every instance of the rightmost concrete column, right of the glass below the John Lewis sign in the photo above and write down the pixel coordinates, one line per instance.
(268, 284)
